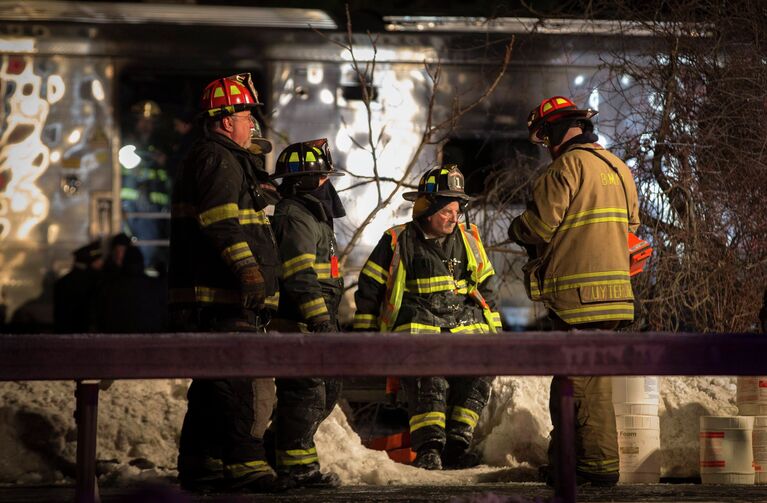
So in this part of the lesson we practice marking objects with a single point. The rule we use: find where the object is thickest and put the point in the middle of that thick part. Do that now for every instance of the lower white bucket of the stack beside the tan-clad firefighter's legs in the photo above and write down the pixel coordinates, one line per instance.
(639, 449)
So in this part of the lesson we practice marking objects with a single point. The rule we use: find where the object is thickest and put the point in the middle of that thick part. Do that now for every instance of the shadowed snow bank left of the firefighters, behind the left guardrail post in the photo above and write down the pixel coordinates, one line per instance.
(138, 428)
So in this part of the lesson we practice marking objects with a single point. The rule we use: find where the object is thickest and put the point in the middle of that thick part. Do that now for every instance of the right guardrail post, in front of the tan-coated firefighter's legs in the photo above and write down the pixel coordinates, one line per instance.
(565, 489)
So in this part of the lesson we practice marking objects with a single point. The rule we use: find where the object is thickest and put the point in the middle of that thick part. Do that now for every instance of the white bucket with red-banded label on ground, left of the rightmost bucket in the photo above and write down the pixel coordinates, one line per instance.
(726, 450)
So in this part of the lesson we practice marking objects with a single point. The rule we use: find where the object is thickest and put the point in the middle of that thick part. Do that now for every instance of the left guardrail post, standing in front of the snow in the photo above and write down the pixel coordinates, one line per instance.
(86, 417)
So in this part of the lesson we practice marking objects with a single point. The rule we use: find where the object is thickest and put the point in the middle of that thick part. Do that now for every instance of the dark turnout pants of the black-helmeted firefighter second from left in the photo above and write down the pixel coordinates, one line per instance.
(302, 404)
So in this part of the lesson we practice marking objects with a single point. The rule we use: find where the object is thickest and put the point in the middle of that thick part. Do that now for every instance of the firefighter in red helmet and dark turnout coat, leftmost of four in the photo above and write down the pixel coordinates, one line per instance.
(223, 277)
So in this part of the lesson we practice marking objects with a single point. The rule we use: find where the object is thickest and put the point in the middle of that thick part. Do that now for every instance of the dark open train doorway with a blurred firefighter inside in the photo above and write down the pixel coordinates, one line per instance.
(158, 114)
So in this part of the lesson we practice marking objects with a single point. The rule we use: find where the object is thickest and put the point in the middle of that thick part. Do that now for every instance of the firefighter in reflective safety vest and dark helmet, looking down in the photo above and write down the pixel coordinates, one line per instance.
(432, 275)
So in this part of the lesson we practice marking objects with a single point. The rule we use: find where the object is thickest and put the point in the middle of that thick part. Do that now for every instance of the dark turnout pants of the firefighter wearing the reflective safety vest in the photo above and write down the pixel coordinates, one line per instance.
(444, 410)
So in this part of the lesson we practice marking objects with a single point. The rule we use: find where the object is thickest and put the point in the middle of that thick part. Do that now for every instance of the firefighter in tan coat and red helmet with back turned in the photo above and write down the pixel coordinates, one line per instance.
(576, 231)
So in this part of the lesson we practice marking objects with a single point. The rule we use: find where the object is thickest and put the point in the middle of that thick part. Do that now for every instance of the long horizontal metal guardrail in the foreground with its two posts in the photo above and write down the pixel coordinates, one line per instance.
(89, 357)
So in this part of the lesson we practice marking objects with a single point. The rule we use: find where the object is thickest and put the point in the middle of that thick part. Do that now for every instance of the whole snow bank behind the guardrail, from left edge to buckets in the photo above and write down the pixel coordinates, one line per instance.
(140, 421)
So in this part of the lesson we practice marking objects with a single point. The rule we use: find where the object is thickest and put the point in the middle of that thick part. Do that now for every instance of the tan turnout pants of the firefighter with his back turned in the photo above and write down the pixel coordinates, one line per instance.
(596, 437)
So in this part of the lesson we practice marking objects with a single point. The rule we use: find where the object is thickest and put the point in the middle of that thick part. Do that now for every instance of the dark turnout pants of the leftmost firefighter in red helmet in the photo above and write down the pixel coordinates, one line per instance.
(223, 429)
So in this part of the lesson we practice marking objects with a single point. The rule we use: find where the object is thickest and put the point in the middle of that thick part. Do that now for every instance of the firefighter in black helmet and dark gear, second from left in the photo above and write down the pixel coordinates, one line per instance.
(311, 286)
